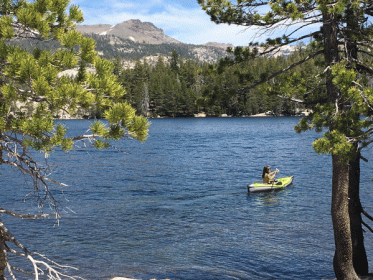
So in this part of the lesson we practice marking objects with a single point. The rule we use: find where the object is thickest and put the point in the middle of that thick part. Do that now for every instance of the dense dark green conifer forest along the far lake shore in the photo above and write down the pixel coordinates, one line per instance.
(179, 87)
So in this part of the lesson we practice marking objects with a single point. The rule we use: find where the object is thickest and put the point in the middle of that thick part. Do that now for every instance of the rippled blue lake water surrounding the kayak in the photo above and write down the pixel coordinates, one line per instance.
(177, 205)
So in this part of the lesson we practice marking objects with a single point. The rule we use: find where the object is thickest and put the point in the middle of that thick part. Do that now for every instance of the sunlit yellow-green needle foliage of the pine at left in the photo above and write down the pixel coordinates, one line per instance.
(33, 89)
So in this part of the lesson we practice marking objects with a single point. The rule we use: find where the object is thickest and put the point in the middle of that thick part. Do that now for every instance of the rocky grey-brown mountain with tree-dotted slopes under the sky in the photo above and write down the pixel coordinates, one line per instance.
(133, 39)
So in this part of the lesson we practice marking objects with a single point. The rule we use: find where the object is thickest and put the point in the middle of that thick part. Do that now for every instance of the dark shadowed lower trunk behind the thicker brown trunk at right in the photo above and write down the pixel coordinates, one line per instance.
(359, 256)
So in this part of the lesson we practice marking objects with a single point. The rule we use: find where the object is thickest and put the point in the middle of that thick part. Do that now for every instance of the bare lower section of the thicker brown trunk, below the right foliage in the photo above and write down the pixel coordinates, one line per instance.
(342, 263)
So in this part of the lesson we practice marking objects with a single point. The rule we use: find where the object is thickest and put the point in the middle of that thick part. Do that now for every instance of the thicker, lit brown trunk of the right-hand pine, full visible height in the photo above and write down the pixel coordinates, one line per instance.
(342, 262)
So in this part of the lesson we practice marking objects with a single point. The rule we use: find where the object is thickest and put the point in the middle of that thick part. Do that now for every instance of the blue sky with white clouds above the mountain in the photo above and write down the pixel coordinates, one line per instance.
(183, 20)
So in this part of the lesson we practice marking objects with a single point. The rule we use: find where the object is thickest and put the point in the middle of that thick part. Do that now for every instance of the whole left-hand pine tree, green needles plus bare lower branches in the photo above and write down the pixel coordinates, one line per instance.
(35, 87)
